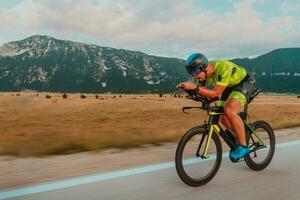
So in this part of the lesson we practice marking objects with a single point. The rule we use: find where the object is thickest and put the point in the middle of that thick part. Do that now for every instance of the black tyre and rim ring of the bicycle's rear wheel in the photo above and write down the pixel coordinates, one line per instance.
(250, 159)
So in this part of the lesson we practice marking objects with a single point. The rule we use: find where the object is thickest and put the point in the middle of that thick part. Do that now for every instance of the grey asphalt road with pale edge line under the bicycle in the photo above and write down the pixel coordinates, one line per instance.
(281, 180)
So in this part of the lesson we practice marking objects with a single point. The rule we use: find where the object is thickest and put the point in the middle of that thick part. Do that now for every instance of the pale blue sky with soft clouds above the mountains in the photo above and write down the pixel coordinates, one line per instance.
(172, 28)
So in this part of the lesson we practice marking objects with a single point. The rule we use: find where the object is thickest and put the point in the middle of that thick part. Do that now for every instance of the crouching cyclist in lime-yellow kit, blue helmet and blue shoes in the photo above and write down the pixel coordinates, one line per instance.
(229, 81)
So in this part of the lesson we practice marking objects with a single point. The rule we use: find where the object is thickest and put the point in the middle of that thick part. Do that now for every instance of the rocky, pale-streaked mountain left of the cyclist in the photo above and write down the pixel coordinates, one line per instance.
(47, 64)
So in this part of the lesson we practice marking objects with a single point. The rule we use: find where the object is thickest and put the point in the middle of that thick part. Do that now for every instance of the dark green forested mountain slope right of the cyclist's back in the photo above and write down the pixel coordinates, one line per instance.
(276, 71)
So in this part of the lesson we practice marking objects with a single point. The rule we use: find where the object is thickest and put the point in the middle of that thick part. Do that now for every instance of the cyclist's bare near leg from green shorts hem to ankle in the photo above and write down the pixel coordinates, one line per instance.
(233, 105)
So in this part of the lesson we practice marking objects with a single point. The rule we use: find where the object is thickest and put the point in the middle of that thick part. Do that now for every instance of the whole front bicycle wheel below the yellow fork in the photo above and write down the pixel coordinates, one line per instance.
(192, 168)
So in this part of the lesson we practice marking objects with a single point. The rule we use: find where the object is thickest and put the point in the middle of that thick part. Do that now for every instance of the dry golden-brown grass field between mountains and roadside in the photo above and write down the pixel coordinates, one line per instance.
(32, 125)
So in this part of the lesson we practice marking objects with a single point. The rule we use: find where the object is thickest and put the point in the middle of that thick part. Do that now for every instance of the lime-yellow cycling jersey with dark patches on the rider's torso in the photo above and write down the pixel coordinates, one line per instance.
(226, 73)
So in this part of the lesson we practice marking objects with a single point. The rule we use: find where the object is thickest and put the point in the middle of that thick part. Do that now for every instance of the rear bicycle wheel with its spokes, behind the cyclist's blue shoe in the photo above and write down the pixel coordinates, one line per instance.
(261, 155)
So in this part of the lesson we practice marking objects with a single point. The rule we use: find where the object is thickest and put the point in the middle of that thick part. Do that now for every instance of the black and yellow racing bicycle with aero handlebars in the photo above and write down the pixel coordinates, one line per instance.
(199, 152)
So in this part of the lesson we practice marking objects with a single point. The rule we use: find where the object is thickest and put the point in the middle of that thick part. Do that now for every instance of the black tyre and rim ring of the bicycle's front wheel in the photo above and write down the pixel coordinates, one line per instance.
(180, 168)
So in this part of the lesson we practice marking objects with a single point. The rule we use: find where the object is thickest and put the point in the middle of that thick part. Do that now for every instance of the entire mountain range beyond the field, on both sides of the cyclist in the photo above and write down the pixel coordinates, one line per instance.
(44, 63)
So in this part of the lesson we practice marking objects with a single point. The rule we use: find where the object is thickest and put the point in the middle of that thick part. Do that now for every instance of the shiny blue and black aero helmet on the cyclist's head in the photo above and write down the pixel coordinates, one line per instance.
(196, 63)
